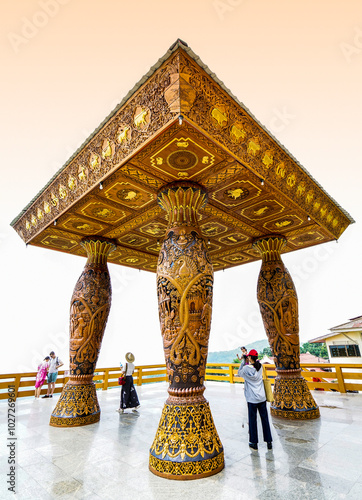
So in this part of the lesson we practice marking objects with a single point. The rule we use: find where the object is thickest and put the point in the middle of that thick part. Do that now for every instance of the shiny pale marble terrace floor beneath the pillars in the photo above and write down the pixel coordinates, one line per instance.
(320, 459)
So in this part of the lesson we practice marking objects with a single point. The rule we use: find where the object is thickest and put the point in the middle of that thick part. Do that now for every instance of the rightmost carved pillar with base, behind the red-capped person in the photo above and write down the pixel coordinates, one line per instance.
(278, 304)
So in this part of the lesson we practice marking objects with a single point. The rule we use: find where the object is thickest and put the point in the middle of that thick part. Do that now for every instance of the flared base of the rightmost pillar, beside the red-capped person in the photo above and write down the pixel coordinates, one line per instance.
(293, 400)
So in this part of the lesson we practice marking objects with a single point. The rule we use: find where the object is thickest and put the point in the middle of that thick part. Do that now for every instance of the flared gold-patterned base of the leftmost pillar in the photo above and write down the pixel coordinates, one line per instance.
(77, 405)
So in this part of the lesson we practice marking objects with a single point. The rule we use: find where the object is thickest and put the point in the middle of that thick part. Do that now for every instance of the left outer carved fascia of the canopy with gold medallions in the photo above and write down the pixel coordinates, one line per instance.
(141, 117)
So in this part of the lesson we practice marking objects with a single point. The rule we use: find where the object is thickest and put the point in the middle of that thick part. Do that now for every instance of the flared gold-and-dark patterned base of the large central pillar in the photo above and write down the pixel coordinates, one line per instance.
(186, 445)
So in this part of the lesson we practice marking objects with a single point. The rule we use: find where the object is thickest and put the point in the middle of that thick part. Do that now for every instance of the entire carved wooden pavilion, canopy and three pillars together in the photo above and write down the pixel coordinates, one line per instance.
(181, 180)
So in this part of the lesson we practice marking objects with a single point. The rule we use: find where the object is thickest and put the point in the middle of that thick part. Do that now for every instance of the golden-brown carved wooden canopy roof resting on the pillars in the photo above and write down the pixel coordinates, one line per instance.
(180, 123)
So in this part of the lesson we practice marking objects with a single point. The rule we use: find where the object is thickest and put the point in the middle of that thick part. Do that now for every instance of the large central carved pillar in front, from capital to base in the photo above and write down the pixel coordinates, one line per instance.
(186, 445)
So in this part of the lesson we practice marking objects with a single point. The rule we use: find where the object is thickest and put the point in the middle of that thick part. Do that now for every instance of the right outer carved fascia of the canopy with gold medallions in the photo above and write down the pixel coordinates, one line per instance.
(213, 110)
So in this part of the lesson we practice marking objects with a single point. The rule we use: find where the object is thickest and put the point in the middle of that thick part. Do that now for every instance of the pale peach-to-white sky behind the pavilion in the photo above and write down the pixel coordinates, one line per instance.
(67, 63)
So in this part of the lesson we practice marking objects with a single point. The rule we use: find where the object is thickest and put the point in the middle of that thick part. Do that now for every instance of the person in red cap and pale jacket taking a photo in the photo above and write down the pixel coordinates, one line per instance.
(256, 399)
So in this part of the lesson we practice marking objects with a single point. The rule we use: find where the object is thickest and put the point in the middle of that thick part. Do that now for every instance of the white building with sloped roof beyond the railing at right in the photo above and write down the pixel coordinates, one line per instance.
(344, 343)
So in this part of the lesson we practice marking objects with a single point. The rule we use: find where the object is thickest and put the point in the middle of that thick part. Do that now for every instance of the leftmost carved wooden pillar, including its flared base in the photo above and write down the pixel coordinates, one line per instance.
(89, 309)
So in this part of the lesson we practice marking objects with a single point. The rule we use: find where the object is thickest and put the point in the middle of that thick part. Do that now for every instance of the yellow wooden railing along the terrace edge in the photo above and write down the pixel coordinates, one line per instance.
(339, 378)
